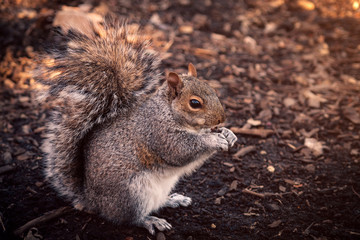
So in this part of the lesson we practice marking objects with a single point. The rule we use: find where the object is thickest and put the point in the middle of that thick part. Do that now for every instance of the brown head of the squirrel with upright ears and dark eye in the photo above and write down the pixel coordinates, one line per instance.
(193, 102)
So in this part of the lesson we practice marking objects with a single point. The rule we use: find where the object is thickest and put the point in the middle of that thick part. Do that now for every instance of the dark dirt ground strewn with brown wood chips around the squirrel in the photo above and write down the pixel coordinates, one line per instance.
(288, 73)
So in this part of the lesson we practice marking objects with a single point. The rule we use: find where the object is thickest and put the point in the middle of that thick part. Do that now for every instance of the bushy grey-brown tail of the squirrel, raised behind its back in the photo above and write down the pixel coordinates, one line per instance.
(97, 77)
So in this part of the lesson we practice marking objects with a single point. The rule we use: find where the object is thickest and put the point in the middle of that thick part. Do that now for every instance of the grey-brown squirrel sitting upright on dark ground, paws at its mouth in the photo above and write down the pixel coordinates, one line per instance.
(121, 135)
